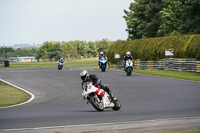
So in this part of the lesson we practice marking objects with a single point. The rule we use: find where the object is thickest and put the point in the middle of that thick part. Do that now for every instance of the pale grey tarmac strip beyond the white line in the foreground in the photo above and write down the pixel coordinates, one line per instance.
(144, 126)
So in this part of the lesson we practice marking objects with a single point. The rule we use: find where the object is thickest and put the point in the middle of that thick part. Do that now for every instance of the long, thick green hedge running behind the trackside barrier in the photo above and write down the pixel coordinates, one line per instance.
(185, 46)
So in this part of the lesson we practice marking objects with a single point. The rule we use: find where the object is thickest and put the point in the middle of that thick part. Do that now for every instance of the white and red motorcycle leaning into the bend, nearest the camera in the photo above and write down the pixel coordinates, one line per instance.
(99, 99)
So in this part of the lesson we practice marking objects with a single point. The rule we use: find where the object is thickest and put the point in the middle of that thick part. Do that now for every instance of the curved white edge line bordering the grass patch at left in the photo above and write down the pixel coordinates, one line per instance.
(31, 98)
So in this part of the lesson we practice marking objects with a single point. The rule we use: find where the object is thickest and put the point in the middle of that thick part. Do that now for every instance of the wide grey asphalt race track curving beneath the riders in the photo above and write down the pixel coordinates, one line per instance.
(58, 100)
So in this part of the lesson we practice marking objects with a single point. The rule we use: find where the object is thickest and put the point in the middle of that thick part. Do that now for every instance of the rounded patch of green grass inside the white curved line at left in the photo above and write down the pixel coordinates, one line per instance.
(11, 96)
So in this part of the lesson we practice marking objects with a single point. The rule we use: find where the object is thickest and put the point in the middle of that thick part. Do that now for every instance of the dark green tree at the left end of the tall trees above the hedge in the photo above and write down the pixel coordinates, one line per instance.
(143, 19)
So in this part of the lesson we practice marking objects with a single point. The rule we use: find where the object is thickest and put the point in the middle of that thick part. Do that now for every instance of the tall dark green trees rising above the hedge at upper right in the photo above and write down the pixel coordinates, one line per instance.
(158, 18)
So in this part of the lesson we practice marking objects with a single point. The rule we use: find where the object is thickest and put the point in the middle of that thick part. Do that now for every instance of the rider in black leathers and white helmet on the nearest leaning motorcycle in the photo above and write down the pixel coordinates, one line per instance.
(86, 77)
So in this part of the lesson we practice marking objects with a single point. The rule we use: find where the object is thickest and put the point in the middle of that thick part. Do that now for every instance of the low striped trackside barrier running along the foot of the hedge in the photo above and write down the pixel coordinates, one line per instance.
(175, 64)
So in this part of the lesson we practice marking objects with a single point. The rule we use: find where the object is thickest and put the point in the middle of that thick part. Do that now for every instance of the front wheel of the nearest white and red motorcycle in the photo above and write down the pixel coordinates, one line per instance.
(95, 103)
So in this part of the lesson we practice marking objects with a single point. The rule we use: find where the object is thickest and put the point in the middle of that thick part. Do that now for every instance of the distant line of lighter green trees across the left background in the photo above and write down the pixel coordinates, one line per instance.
(55, 50)
